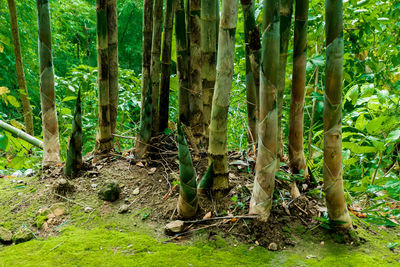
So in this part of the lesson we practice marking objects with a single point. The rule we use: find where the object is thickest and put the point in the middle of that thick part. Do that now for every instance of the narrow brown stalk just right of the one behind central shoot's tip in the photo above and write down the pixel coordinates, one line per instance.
(195, 87)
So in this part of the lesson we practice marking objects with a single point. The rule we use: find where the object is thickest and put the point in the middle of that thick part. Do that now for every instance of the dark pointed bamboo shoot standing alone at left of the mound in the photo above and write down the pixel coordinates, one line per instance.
(73, 163)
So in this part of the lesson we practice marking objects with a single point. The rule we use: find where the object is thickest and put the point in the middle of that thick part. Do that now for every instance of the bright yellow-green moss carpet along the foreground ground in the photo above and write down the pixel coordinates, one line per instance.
(106, 238)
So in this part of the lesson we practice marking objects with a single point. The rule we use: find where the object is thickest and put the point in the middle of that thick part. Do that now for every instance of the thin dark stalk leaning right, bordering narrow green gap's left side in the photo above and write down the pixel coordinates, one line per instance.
(166, 64)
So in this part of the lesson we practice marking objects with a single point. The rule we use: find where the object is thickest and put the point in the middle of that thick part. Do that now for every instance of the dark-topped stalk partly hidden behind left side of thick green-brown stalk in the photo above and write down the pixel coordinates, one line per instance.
(252, 50)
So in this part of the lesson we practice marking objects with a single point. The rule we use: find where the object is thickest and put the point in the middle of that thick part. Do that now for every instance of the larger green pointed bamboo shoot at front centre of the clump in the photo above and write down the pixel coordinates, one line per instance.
(187, 201)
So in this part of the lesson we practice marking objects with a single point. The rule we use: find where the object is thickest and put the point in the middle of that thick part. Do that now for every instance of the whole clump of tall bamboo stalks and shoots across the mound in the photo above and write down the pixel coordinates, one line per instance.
(204, 34)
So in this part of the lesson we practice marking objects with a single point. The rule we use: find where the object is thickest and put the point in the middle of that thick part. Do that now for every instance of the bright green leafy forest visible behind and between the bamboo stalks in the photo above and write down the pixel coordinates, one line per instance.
(371, 94)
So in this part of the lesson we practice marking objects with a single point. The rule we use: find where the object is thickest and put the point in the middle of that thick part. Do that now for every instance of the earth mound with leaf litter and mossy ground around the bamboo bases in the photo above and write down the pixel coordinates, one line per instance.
(75, 227)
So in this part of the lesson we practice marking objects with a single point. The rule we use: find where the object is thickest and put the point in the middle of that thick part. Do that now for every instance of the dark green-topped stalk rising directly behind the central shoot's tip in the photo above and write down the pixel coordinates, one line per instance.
(182, 62)
